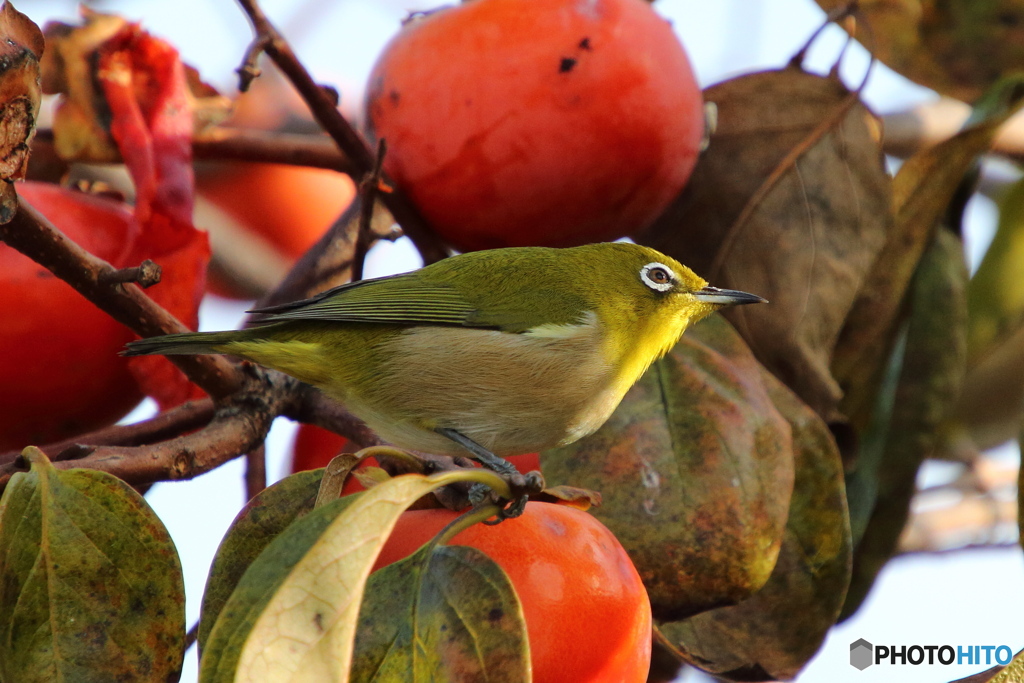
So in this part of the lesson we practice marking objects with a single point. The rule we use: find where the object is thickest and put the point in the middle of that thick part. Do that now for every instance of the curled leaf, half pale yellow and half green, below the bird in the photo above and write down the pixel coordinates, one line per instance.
(294, 613)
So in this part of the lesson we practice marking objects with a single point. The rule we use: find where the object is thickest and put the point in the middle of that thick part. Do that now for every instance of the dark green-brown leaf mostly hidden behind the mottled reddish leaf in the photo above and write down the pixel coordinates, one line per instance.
(772, 635)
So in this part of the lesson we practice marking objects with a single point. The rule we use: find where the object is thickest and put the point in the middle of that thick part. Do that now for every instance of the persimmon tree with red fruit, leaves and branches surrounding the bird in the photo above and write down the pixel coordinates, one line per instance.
(739, 504)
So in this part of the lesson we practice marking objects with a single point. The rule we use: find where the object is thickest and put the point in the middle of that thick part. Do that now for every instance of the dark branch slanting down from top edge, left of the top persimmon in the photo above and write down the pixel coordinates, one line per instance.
(324, 108)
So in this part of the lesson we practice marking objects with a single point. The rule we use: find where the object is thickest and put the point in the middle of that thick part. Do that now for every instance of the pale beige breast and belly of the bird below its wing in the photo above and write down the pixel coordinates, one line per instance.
(509, 393)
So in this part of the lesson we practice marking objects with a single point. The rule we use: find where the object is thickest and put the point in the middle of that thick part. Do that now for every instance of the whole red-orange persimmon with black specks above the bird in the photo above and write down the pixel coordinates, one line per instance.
(556, 123)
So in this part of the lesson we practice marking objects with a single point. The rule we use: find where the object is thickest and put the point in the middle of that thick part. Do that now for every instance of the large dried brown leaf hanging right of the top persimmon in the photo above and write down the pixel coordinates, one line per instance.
(794, 192)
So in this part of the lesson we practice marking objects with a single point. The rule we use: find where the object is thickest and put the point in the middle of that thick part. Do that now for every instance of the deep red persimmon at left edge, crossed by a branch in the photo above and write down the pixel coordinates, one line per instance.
(59, 354)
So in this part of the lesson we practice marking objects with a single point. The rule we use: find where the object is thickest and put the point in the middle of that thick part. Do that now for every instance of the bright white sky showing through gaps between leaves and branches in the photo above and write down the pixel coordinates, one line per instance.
(966, 599)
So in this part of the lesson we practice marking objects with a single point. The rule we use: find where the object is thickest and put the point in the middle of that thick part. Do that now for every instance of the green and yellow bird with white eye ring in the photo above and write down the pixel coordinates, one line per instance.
(503, 352)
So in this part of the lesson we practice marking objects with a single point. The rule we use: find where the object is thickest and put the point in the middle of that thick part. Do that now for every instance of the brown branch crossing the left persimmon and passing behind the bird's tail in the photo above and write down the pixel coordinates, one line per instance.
(30, 233)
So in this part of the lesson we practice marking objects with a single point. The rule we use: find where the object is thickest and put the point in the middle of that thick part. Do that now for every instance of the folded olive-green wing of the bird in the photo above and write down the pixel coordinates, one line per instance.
(397, 300)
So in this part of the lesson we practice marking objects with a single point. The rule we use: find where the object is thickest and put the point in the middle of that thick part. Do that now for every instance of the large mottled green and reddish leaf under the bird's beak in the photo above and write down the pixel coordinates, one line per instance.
(696, 471)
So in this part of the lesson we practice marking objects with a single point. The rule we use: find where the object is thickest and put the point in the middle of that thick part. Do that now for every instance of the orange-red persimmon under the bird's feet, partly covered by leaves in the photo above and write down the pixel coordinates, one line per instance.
(587, 613)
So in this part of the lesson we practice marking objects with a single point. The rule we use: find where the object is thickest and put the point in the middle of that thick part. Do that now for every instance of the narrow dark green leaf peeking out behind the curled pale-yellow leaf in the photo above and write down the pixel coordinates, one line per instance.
(263, 521)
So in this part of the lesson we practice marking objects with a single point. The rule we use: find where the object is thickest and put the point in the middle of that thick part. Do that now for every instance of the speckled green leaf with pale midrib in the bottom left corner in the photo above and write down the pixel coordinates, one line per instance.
(91, 583)
